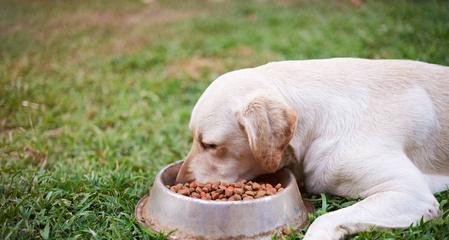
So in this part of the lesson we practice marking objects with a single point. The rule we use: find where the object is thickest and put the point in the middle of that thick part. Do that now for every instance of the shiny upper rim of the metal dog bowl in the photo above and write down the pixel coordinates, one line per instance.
(158, 181)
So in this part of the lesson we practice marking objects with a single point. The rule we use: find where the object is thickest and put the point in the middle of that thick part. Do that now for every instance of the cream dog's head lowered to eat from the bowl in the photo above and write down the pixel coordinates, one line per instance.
(235, 143)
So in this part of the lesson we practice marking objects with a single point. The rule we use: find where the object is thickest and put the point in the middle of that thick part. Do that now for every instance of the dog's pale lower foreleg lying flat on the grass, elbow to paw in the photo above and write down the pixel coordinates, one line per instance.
(385, 210)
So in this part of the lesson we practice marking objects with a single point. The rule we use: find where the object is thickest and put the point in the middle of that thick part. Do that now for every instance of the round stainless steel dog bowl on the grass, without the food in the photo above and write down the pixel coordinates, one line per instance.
(190, 218)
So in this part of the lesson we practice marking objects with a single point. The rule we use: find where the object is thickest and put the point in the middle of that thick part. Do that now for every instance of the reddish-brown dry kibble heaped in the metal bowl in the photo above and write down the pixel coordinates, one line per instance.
(244, 190)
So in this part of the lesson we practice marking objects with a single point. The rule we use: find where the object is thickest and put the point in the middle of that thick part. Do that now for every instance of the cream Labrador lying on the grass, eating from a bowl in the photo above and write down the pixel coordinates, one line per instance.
(371, 129)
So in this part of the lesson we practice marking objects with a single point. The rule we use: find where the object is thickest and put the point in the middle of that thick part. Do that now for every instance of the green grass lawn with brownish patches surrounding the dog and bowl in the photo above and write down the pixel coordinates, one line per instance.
(95, 96)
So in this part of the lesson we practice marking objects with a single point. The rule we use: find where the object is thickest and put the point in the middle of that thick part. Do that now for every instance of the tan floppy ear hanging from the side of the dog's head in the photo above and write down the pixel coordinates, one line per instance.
(269, 126)
